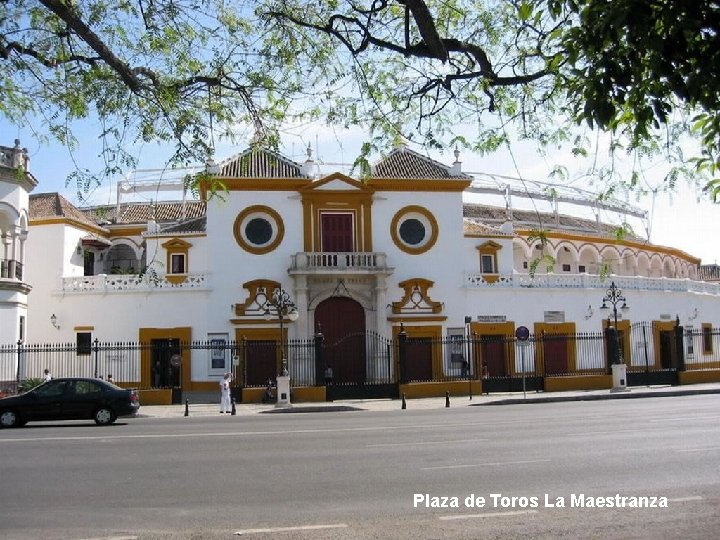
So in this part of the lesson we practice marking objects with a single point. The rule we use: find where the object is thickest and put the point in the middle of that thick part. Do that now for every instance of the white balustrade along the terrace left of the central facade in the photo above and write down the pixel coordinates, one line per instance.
(105, 283)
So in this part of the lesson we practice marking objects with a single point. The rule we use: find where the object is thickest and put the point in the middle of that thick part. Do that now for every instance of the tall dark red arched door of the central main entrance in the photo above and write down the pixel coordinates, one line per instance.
(342, 323)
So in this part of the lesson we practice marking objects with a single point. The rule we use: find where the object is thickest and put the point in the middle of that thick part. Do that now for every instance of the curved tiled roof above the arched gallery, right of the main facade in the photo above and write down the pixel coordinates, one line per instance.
(494, 215)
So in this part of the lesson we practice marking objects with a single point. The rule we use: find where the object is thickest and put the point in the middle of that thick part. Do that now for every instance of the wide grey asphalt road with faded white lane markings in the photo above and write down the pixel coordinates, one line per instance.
(372, 474)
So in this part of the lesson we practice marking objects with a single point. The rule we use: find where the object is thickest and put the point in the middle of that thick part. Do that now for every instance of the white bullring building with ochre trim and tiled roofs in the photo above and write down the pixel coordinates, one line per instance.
(399, 251)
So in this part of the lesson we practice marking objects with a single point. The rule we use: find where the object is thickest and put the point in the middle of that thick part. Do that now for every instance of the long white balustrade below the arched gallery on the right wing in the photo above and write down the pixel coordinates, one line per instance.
(589, 281)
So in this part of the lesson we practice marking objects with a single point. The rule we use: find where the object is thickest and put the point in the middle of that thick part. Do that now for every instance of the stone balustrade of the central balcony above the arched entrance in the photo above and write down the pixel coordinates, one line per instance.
(337, 262)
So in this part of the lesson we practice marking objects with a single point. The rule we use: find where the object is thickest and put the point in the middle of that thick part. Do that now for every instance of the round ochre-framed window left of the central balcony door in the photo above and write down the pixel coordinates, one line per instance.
(258, 229)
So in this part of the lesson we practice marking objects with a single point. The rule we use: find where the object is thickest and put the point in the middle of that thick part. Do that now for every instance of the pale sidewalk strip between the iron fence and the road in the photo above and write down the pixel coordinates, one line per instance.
(246, 409)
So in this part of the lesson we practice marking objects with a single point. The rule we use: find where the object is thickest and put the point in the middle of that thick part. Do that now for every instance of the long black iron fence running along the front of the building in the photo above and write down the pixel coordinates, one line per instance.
(368, 359)
